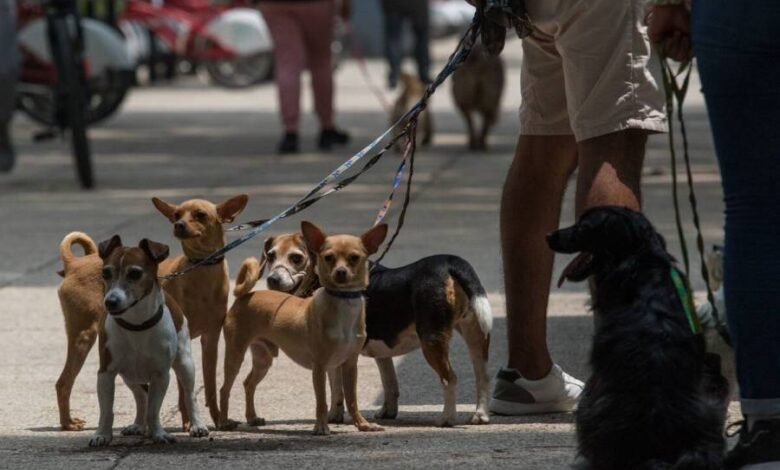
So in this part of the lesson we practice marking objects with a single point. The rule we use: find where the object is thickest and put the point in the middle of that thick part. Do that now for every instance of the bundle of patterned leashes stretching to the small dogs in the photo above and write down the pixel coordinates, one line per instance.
(409, 123)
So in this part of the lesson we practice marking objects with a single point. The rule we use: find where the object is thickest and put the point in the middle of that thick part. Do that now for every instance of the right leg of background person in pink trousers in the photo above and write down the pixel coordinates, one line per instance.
(316, 19)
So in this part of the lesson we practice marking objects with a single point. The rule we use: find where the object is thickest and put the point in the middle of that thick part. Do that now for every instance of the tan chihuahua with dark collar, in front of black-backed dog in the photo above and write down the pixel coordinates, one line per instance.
(323, 333)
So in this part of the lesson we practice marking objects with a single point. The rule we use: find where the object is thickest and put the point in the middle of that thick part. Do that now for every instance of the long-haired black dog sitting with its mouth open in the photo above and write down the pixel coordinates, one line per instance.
(656, 399)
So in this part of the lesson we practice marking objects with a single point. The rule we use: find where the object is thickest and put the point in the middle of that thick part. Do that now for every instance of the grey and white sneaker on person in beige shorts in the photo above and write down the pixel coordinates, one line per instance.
(558, 392)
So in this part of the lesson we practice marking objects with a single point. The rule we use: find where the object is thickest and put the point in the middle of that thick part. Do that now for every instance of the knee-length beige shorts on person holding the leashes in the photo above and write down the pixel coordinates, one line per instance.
(587, 70)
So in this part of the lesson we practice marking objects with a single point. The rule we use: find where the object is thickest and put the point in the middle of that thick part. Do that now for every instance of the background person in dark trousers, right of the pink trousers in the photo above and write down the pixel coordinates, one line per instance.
(416, 13)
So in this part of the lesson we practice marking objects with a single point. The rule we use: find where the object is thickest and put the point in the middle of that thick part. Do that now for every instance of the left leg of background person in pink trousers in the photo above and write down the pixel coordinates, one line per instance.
(290, 60)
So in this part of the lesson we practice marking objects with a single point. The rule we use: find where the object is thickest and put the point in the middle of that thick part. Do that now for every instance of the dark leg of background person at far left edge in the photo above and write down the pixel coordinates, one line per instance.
(8, 76)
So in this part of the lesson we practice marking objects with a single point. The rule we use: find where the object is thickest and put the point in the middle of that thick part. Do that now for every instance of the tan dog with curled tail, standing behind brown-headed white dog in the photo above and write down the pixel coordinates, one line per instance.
(201, 293)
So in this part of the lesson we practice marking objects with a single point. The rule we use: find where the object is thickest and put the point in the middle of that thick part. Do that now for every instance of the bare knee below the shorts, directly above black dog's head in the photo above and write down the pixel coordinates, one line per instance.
(610, 170)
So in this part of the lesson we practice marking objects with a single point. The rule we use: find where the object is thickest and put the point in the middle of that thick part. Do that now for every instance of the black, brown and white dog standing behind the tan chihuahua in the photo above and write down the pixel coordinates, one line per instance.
(418, 305)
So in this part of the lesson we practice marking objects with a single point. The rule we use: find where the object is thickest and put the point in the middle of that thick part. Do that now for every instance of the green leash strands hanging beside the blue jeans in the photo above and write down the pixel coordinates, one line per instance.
(676, 92)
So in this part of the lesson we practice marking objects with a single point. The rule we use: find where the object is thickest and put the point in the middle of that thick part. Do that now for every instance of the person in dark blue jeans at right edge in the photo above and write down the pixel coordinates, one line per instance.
(737, 49)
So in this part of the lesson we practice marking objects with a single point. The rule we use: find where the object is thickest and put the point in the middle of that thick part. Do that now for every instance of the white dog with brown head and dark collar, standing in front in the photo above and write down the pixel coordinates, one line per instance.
(143, 336)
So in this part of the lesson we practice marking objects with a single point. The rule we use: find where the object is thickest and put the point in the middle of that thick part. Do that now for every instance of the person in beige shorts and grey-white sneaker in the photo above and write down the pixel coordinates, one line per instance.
(589, 102)
